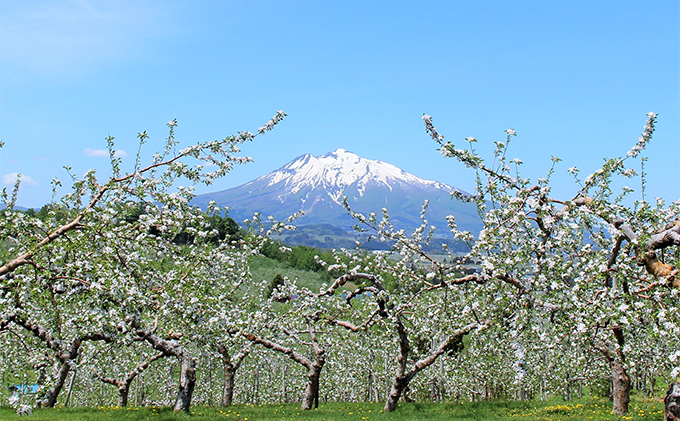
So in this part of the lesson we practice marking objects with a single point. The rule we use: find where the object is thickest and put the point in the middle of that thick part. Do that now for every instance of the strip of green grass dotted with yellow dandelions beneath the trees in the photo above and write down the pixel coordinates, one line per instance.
(554, 410)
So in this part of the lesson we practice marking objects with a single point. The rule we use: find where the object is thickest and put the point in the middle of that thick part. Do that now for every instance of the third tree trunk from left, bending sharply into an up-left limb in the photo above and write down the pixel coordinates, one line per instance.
(187, 373)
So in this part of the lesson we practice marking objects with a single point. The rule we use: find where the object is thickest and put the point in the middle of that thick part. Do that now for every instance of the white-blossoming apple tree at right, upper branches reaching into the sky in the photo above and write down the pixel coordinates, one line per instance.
(587, 271)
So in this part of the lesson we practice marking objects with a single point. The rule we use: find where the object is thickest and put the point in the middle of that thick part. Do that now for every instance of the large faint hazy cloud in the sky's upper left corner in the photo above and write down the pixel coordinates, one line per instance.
(69, 36)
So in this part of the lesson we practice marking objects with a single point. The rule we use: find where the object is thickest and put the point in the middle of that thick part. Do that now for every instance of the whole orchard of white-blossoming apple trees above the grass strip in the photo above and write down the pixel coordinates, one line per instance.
(120, 291)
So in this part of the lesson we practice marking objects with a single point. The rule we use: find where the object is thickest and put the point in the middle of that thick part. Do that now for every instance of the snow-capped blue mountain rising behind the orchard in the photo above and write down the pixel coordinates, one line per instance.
(317, 185)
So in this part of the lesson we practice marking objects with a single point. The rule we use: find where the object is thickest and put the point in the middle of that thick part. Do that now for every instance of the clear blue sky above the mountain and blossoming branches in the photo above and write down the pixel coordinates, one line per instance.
(574, 79)
